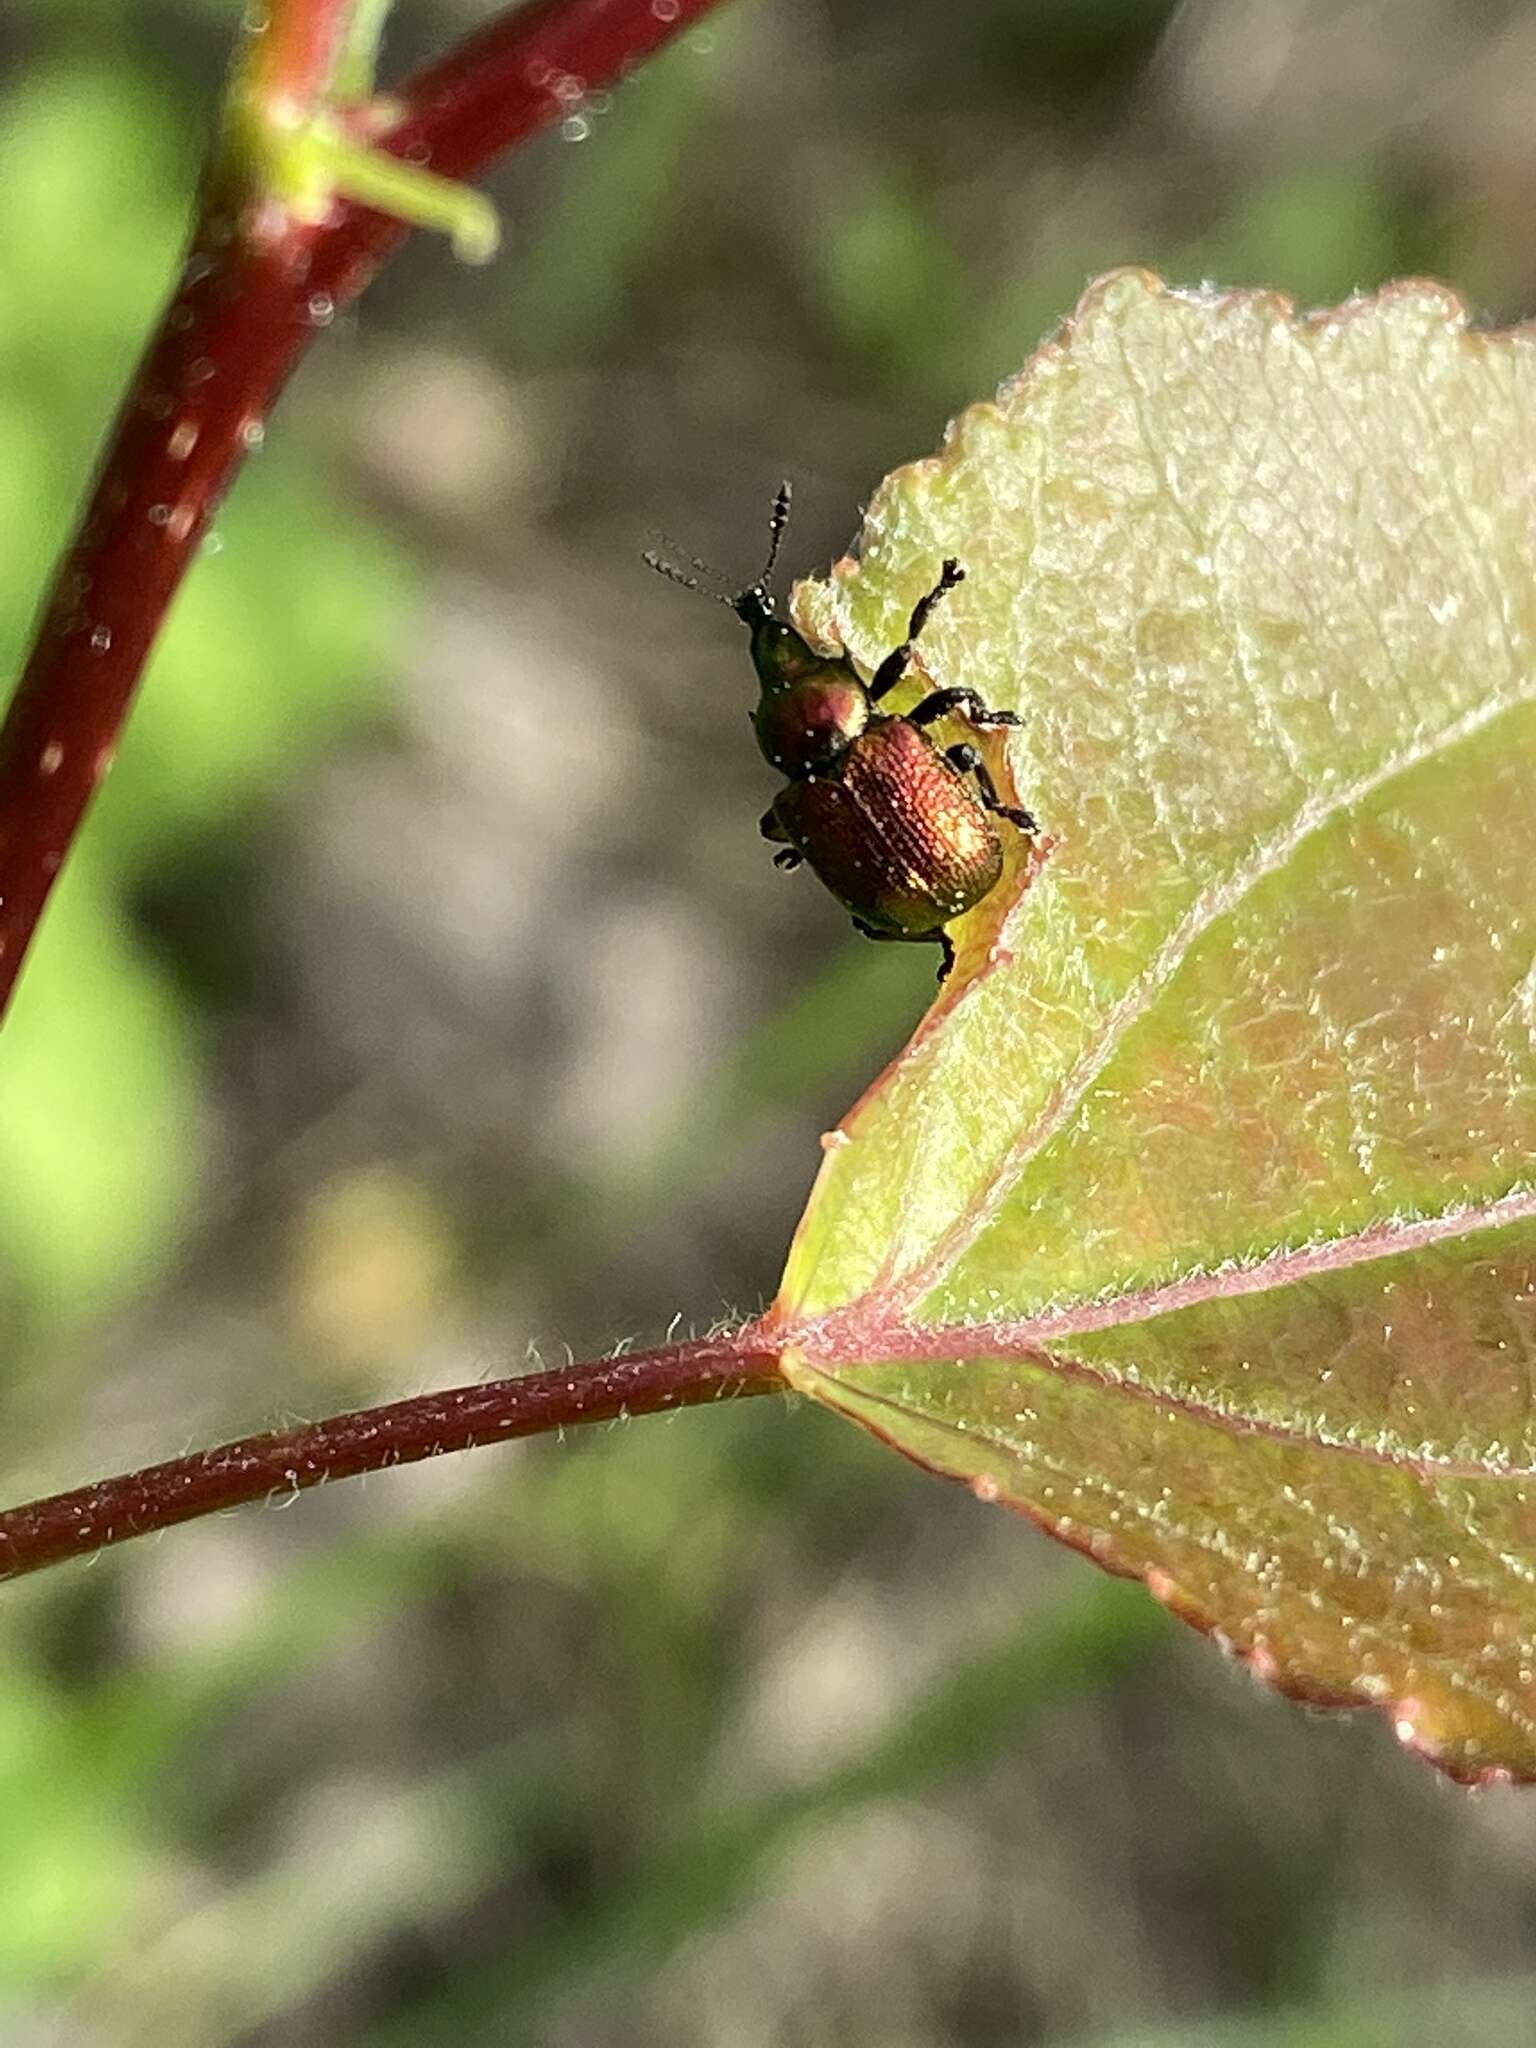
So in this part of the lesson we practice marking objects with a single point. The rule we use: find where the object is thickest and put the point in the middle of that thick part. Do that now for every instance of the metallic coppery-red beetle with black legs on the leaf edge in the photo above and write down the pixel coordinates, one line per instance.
(900, 830)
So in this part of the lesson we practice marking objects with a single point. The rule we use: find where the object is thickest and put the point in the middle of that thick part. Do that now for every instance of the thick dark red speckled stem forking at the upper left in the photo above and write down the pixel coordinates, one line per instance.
(255, 292)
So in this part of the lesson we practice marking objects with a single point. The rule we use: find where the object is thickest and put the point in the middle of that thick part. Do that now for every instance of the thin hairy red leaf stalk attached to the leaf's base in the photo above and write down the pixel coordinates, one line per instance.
(372, 1441)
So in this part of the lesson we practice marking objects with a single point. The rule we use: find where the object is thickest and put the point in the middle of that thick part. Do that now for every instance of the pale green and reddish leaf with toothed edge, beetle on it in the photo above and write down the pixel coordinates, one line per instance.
(1199, 1220)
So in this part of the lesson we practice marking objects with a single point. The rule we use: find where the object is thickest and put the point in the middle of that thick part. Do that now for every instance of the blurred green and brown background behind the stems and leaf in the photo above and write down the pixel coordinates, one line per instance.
(423, 1000)
